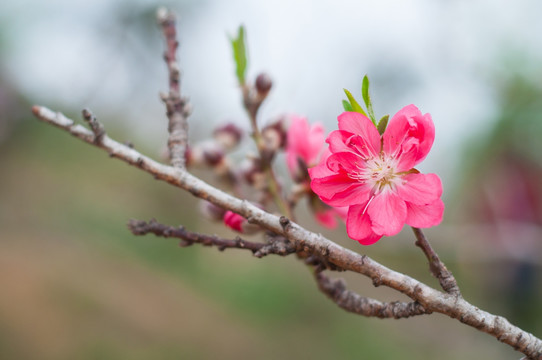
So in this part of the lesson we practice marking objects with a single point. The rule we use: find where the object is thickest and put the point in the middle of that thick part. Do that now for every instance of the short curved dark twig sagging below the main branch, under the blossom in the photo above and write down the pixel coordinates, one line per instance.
(352, 302)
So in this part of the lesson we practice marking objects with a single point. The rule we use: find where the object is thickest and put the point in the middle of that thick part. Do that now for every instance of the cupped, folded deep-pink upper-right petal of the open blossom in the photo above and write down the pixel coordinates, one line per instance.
(405, 126)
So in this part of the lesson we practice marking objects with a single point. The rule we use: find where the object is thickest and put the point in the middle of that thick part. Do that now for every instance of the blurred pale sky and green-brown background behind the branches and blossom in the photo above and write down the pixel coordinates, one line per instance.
(77, 285)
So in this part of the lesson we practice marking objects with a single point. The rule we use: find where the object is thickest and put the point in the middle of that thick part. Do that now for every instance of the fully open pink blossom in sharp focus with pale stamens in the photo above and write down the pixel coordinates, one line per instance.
(375, 177)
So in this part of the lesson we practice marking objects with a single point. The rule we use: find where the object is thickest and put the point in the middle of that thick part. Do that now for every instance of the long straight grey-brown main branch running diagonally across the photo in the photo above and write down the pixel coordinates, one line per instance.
(431, 299)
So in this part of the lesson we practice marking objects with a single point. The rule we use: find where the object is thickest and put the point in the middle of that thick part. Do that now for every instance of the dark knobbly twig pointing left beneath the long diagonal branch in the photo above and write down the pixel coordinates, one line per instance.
(276, 246)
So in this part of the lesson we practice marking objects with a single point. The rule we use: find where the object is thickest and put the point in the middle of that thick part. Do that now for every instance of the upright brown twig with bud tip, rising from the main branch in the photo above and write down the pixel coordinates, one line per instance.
(178, 108)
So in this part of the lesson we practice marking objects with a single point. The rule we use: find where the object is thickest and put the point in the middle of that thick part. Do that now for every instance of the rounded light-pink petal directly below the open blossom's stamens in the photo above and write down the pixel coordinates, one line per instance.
(387, 212)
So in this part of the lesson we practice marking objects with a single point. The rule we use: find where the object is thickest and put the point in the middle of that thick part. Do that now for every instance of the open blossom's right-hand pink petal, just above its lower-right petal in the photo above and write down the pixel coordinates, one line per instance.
(420, 189)
